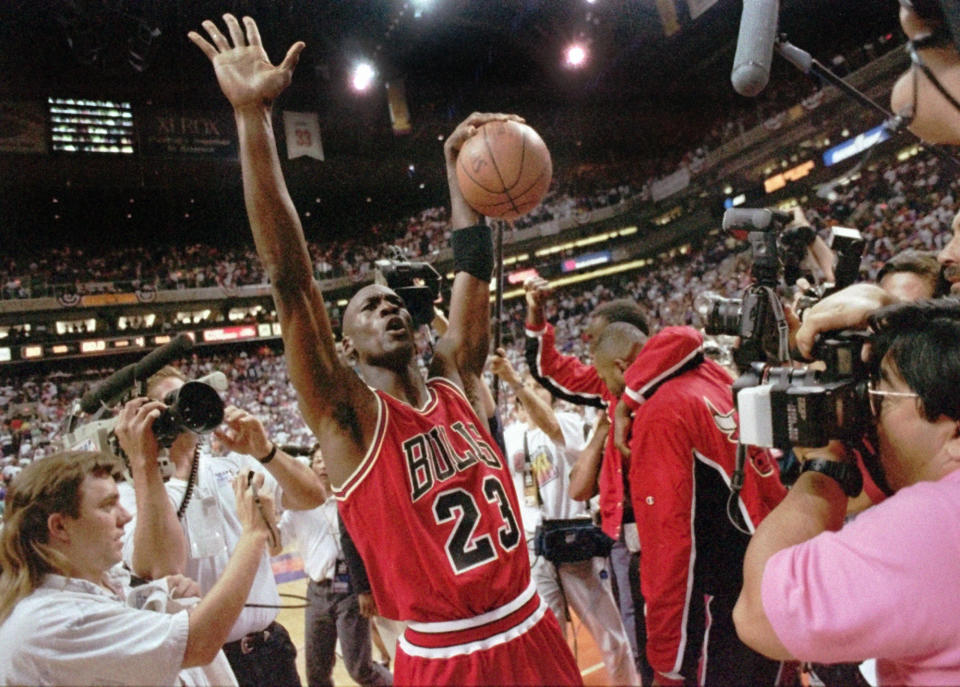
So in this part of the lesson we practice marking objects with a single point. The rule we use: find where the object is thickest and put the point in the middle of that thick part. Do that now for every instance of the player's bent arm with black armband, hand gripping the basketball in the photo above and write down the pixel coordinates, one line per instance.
(462, 352)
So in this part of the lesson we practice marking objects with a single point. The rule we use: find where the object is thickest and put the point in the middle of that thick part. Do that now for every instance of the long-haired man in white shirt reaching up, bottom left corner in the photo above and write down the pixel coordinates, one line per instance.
(67, 613)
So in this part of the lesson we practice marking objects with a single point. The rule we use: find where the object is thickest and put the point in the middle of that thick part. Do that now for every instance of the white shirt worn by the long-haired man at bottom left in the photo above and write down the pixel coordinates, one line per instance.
(73, 632)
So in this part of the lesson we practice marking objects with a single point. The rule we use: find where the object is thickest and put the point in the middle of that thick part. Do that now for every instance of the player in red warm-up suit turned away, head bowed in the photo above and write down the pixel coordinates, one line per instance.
(682, 452)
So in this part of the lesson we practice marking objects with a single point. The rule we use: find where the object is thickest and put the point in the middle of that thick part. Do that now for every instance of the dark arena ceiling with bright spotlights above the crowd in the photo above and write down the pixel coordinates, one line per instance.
(457, 56)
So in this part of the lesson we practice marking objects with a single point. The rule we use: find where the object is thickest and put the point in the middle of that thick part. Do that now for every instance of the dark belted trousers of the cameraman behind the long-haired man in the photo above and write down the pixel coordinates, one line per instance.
(267, 659)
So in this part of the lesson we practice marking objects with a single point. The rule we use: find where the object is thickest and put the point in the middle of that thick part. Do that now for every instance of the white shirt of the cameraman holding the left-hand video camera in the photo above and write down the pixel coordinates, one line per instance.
(211, 528)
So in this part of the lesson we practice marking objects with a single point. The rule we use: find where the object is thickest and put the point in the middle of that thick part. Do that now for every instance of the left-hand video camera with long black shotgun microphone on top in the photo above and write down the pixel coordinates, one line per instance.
(194, 407)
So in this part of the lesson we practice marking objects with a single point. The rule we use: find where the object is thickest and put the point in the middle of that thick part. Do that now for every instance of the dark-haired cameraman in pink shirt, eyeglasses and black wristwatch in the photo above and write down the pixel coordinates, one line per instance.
(887, 584)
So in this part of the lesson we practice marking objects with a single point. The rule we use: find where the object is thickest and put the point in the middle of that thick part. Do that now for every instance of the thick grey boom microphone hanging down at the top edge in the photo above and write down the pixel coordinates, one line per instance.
(758, 32)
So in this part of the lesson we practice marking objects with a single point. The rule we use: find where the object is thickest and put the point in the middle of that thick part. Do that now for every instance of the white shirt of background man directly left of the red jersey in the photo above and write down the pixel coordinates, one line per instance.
(316, 535)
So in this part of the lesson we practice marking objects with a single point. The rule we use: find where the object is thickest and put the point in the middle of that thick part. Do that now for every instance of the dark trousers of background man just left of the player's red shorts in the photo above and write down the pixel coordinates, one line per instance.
(330, 615)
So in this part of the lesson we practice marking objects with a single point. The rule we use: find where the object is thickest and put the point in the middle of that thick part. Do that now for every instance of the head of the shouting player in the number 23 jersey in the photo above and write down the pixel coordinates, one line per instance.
(378, 328)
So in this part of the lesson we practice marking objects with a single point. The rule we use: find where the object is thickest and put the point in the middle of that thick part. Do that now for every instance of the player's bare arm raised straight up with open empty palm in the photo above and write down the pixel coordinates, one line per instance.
(335, 404)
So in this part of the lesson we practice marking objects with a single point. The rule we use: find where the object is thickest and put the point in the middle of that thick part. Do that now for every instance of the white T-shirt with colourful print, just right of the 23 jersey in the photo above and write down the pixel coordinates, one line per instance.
(552, 467)
